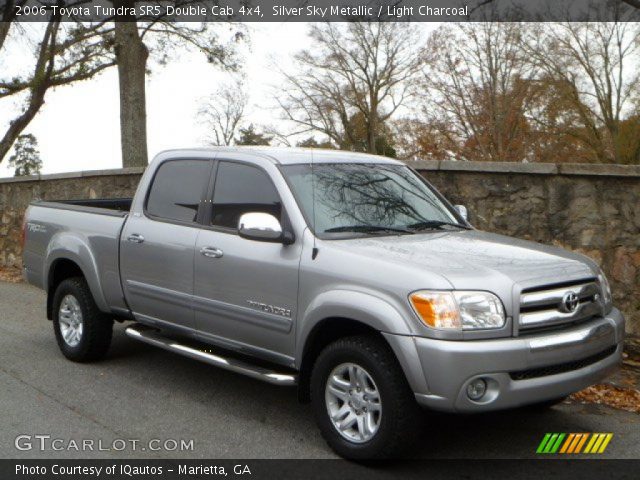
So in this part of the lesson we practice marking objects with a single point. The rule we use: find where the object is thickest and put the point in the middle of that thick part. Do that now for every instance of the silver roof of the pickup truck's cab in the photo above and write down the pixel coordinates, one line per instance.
(286, 155)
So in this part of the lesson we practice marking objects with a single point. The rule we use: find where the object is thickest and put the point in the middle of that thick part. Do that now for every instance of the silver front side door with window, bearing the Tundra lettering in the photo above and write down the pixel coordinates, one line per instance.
(236, 289)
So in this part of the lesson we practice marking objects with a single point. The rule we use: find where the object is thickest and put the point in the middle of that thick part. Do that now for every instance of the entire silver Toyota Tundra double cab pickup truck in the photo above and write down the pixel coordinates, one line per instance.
(346, 274)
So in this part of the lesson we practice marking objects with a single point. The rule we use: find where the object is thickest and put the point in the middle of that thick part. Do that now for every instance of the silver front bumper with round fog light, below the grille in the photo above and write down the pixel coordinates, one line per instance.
(518, 371)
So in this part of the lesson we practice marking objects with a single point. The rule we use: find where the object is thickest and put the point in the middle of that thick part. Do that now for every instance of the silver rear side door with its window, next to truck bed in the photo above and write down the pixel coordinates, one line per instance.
(157, 245)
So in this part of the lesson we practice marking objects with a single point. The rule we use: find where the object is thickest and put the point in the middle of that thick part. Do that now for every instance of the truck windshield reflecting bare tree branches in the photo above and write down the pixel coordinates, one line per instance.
(365, 199)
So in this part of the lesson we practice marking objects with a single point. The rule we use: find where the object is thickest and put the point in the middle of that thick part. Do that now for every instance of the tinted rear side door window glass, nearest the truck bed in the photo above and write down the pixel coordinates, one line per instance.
(177, 189)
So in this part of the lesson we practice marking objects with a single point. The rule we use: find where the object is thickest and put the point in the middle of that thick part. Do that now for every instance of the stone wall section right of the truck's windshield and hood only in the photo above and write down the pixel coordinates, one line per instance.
(591, 209)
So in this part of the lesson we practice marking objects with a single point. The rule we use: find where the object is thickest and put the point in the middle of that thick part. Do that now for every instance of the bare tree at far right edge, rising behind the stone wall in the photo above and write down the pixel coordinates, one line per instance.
(593, 67)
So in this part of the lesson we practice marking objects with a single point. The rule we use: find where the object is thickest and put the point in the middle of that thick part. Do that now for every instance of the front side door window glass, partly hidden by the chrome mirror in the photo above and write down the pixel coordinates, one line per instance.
(241, 189)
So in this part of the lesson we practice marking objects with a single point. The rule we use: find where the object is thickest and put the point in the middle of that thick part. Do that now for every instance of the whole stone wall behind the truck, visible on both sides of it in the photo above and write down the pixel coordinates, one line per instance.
(592, 209)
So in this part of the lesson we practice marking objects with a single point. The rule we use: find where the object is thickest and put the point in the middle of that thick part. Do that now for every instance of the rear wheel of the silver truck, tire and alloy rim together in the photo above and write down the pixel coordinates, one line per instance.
(82, 331)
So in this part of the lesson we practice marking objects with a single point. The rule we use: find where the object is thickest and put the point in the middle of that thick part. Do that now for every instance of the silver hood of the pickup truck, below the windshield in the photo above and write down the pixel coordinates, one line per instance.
(472, 259)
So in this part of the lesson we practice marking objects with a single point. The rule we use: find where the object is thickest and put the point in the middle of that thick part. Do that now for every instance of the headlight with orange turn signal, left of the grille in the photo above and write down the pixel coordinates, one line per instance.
(458, 310)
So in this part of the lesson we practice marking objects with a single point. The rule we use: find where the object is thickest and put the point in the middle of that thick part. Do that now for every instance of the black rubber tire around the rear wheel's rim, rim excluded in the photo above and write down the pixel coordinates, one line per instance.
(97, 328)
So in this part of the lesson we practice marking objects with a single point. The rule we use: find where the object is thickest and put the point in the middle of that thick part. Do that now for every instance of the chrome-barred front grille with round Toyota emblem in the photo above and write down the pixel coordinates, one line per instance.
(546, 306)
